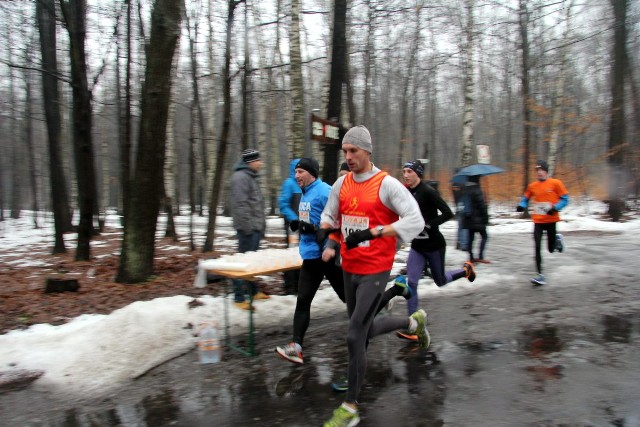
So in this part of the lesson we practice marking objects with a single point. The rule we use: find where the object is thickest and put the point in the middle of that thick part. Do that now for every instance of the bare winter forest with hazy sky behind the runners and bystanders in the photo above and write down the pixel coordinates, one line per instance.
(146, 105)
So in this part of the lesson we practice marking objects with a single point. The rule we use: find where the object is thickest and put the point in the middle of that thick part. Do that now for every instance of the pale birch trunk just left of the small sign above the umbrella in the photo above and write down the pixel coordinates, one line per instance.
(469, 90)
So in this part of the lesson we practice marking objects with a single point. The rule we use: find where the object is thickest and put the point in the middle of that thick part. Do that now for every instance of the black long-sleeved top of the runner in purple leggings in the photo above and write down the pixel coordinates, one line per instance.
(430, 202)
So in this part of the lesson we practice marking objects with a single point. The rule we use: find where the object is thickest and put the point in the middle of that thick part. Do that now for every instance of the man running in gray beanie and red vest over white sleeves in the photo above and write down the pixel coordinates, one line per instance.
(367, 209)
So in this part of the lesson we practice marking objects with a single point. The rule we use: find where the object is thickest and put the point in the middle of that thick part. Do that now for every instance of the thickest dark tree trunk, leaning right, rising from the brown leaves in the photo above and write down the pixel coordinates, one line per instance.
(138, 244)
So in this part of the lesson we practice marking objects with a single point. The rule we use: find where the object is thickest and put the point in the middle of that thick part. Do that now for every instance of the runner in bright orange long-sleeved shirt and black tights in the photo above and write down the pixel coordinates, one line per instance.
(549, 196)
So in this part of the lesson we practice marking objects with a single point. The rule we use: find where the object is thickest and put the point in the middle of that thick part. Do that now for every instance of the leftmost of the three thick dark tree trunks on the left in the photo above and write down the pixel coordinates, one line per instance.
(46, 15)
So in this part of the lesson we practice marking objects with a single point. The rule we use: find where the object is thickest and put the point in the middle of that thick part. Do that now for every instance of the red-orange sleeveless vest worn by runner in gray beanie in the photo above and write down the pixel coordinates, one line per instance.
(360, 209)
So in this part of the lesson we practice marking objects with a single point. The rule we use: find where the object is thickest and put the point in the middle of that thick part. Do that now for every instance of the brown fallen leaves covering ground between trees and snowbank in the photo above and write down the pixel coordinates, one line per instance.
(23, 302)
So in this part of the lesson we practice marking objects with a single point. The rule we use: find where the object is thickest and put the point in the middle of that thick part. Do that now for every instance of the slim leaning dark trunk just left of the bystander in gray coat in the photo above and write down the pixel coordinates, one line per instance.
(224, 137)
